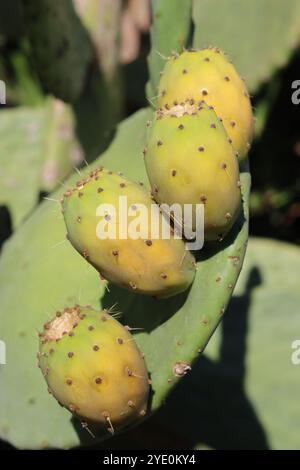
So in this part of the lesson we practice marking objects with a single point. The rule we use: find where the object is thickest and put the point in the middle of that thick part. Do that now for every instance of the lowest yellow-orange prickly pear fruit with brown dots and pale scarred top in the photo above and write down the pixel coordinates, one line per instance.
(93, 367)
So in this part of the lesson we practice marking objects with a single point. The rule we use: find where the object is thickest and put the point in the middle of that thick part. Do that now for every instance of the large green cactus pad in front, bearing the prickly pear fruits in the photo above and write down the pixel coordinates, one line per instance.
(50, 274)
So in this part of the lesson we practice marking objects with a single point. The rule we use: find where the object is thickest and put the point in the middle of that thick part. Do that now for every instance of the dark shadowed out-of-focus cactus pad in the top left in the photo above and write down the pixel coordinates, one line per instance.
(60, 46)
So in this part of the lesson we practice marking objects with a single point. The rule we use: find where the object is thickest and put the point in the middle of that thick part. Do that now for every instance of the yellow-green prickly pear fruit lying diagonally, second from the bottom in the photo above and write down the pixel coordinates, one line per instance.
(149, 265)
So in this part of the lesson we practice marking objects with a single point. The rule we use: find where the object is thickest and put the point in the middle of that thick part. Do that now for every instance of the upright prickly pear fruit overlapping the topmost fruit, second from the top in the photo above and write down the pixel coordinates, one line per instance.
(190, 160)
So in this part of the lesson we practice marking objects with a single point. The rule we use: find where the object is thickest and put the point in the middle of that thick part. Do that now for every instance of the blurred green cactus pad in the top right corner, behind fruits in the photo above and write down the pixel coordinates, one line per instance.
(260, 36)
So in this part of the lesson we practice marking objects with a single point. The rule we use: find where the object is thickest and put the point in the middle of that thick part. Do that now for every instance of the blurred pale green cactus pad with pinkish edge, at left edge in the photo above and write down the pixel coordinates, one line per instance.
(40, 142)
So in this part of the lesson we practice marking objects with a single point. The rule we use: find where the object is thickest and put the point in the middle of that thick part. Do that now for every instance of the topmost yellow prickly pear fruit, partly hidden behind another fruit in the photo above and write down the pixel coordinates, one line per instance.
(208, 75)
